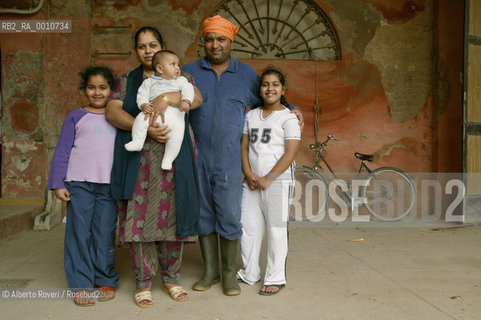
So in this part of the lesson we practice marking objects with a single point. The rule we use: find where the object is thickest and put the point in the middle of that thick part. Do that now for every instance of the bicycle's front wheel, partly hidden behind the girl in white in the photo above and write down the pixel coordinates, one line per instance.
(310, 197)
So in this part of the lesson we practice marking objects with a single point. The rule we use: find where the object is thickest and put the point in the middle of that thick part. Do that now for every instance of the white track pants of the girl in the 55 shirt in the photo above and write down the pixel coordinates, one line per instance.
(265, 210)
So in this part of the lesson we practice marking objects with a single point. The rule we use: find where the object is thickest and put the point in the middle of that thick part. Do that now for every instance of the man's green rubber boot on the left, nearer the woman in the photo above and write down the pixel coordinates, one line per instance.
(210, 255)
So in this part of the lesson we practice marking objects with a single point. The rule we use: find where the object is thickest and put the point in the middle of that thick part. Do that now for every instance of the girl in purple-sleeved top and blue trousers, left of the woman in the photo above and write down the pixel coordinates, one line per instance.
(80, 175)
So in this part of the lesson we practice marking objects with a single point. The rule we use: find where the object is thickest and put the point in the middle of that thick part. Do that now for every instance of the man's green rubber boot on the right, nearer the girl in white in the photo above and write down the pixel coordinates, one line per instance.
(228, 252)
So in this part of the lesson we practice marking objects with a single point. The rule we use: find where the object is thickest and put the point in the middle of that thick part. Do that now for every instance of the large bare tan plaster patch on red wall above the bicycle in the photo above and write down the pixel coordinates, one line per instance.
(403, 54)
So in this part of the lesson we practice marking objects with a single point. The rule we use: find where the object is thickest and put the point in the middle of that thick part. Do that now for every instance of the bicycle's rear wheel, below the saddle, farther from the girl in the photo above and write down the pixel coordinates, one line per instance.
(390, 194)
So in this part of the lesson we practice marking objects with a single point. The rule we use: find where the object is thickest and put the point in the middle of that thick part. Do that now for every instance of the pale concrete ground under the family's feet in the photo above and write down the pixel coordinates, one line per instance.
(369, 271)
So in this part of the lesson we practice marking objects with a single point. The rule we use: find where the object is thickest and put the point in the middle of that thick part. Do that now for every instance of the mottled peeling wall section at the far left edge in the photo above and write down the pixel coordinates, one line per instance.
(23, 101)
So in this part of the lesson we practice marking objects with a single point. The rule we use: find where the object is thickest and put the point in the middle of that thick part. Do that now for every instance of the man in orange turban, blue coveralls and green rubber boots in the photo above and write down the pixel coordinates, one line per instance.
(228, 86)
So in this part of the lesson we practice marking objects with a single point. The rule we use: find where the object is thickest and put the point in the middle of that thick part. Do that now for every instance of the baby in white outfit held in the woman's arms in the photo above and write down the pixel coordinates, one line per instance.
(166, 79)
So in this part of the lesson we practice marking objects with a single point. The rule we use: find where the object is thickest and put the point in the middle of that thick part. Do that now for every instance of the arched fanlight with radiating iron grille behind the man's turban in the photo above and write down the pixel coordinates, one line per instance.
(292, 30)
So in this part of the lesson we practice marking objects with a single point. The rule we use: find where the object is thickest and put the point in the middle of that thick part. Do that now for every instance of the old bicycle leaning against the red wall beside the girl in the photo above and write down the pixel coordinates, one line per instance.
(387, 193)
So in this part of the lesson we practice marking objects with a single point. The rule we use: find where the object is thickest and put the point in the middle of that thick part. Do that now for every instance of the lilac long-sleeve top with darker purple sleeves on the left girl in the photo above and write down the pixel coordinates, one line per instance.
(84, 150)
